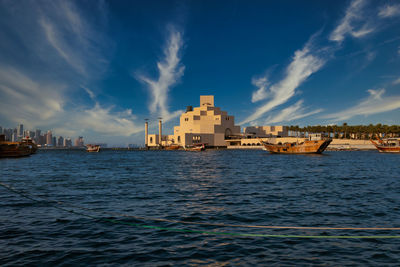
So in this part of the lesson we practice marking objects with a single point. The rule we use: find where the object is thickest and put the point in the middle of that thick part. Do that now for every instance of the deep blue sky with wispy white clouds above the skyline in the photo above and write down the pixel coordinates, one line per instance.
(98, 69)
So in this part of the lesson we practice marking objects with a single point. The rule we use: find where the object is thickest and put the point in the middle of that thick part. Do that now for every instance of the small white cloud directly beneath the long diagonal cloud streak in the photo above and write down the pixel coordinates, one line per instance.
(297, 111)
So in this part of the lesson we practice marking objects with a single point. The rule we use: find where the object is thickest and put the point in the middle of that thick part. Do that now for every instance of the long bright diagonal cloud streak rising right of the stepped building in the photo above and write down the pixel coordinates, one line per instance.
(303, 65)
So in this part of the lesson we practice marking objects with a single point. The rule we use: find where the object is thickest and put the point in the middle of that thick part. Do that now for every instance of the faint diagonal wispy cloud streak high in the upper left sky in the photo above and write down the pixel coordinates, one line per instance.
(73, 38)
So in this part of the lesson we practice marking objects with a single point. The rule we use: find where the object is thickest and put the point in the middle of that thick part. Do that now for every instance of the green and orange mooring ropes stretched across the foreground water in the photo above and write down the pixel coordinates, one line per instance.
(58, 203)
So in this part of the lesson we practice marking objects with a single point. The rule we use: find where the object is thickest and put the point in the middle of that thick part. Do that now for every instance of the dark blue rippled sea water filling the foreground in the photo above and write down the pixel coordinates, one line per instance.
(336, 189)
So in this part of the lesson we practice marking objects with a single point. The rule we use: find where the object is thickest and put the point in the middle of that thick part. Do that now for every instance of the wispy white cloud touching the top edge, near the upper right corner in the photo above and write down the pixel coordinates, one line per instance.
(353, 23)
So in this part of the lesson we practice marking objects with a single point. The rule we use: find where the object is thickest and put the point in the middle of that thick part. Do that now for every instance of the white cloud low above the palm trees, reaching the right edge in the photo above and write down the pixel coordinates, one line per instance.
(375, 103)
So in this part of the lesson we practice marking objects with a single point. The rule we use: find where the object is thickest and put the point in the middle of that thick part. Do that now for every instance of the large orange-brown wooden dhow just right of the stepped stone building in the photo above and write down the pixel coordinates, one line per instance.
(315, 145)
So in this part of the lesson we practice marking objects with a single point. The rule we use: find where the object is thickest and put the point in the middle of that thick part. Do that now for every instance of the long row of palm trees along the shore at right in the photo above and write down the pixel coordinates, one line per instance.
(348, 131)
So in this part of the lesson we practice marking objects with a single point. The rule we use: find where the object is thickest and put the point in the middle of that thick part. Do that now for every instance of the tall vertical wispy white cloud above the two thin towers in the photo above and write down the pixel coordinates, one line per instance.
(170, 72)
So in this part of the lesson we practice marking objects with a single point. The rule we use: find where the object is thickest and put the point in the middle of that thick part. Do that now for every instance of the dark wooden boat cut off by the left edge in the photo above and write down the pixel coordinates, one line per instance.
(17, 149)
